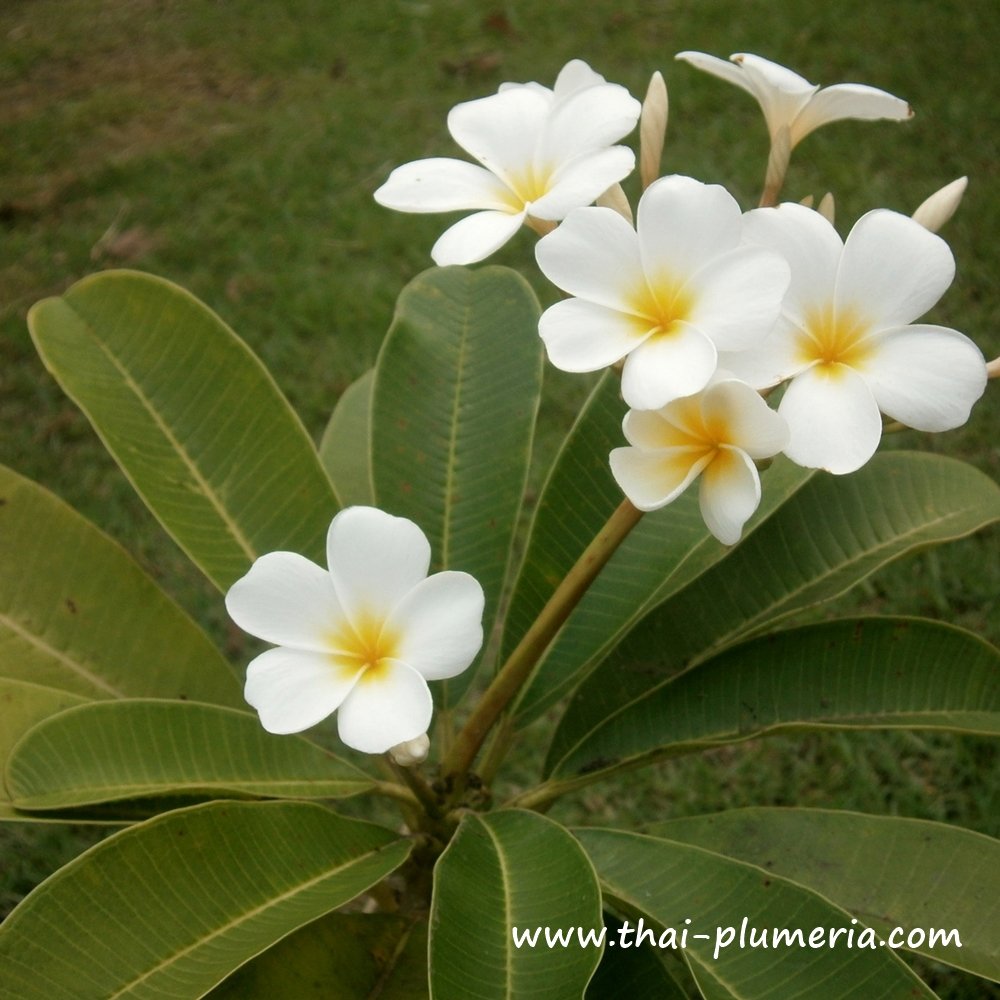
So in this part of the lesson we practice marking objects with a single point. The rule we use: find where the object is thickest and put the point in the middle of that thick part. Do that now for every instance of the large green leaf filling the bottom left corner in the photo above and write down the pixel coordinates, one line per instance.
(172, 906)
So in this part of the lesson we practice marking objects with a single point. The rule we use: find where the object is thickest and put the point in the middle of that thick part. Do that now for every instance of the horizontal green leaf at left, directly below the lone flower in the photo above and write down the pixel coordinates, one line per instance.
(109, 751)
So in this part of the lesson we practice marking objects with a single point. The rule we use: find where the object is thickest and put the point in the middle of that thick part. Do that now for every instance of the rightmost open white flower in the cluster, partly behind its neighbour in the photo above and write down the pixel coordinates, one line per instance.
(847, 339)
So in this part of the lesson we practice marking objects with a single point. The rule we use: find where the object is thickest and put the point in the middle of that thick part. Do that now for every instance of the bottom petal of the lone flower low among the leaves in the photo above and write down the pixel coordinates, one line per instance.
(386, 707)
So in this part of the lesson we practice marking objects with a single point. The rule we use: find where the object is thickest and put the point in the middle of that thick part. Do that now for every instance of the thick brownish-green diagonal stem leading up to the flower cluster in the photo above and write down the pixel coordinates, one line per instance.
(521, 662)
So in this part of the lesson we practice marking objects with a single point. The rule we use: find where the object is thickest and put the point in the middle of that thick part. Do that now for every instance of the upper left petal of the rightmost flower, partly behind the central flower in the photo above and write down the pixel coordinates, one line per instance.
(810, 245)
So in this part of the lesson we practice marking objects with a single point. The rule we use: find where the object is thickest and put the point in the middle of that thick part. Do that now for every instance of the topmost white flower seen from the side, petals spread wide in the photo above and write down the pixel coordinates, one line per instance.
(788, 99)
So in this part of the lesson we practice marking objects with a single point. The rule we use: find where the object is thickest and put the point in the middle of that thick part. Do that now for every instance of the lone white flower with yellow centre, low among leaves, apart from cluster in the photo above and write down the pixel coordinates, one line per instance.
(361, 639)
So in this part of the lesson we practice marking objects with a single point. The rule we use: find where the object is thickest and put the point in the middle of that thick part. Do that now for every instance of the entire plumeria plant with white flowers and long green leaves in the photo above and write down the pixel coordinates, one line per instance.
(340, 814)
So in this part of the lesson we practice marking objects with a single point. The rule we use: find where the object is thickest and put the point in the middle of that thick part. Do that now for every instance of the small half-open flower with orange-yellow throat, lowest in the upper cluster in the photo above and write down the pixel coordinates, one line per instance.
(714, 435)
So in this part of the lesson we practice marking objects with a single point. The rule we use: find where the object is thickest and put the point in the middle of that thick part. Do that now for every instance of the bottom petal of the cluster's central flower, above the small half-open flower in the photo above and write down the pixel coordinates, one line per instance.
(665, 368)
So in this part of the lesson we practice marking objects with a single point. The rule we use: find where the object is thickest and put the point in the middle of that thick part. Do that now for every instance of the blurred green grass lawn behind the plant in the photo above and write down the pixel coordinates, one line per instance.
(233, 146)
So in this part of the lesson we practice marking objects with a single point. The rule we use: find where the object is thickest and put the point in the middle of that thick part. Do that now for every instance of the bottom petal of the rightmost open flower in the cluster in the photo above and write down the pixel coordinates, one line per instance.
(833, 419)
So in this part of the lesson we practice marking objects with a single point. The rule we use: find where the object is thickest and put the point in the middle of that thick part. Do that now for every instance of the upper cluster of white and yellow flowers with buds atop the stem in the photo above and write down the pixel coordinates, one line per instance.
(704, 307)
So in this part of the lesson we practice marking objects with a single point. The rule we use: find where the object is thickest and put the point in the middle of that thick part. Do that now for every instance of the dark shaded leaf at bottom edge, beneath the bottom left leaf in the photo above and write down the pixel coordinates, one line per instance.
(343, 956)
